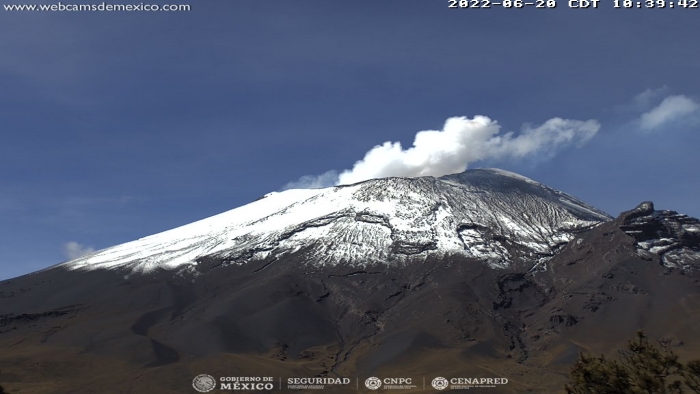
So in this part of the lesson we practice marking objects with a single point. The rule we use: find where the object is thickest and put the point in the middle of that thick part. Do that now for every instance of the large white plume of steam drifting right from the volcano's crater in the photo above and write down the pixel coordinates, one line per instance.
(460, 142)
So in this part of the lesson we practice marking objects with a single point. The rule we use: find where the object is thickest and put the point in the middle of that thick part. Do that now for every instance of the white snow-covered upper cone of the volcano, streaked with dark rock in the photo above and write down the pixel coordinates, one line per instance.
(486, 214)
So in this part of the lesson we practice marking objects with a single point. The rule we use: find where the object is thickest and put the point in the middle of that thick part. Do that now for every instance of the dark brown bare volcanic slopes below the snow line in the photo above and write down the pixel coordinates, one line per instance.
(112, 330)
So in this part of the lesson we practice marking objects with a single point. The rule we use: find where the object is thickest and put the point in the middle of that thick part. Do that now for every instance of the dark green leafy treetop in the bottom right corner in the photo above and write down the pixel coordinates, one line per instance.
(642, 368)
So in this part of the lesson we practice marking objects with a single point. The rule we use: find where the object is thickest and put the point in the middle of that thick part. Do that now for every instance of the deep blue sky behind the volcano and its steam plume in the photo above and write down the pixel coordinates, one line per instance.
(120, 125)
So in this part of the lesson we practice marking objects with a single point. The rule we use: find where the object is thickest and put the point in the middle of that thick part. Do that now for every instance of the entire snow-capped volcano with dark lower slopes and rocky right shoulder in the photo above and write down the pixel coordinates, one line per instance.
(482, 274)
